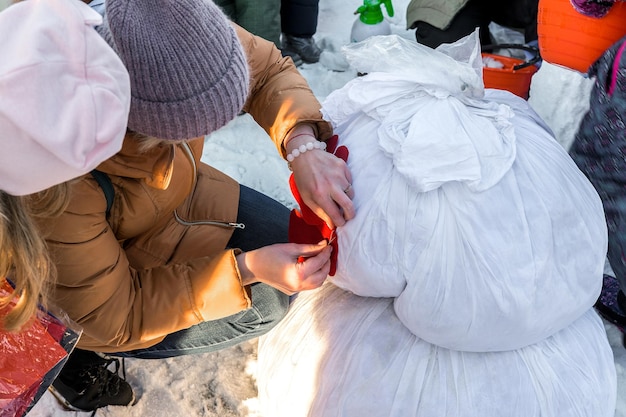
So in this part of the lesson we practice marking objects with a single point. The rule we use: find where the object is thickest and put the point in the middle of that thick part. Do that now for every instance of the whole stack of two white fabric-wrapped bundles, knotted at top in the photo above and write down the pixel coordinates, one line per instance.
(466, 281)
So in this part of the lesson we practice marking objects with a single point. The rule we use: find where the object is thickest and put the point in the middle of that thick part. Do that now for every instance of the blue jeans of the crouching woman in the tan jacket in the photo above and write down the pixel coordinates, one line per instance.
(266, 223)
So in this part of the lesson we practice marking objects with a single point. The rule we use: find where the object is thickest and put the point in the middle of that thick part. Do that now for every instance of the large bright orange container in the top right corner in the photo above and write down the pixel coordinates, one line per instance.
(574, 40)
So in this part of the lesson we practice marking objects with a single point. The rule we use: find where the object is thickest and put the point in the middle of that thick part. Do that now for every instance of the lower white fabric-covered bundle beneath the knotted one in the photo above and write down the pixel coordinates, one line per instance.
(341, 355)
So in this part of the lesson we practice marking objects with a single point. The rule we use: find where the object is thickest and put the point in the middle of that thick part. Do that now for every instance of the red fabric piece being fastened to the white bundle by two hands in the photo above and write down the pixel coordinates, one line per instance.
(304, 225)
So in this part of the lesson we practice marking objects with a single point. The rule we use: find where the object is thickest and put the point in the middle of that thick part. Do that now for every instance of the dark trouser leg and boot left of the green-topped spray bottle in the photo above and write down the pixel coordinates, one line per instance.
(298, 21)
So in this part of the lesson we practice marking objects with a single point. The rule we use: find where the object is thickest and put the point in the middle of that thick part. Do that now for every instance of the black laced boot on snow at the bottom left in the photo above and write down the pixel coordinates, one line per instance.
(85, 383)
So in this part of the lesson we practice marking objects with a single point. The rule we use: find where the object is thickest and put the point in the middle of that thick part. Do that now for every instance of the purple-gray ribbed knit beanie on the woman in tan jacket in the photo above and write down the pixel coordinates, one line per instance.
(188, 72)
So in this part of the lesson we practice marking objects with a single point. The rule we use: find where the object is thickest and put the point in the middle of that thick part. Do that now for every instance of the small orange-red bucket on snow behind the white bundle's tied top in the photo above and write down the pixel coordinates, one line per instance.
(508, 78)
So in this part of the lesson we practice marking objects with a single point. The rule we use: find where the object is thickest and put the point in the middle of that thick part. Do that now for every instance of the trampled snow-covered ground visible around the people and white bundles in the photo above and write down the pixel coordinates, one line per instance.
(223, 384)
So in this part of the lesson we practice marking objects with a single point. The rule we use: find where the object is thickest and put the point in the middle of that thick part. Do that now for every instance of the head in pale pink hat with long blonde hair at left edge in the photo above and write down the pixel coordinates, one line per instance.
(64, 104)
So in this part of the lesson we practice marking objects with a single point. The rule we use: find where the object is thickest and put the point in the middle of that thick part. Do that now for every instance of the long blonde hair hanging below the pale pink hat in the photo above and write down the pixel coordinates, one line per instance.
(23, 253)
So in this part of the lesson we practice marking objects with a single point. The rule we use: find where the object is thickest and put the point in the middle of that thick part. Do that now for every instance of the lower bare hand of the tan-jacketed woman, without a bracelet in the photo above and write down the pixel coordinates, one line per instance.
(277, 265)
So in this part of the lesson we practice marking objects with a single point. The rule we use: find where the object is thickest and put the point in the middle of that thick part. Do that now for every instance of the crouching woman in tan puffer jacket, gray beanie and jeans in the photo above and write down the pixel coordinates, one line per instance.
(187, 260)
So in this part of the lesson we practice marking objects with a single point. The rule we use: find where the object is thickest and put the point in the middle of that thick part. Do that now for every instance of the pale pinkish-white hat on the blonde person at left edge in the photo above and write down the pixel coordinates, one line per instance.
(64, 95)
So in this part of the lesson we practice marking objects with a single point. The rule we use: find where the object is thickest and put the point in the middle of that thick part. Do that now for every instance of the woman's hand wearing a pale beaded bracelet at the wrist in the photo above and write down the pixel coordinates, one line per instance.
(323, 180)
